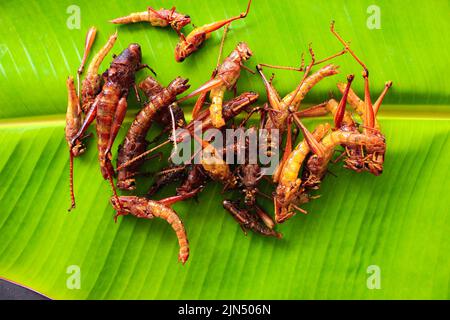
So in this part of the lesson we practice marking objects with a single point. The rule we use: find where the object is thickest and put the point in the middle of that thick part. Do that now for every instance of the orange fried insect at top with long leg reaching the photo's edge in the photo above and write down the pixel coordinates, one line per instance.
(192, 42)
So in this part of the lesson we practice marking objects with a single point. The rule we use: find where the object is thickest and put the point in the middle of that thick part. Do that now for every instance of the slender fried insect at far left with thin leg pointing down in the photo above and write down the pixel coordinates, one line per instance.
(73, 124)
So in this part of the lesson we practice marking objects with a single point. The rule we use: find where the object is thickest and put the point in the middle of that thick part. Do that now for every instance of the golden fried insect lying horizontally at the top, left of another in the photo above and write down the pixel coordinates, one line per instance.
(157, 18)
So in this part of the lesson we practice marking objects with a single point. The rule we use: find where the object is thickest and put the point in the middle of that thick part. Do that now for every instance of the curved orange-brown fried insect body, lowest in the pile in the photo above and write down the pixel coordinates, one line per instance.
(148, 209)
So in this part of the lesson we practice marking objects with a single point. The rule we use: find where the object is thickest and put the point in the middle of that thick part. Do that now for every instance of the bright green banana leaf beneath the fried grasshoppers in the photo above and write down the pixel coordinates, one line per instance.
(396, 224)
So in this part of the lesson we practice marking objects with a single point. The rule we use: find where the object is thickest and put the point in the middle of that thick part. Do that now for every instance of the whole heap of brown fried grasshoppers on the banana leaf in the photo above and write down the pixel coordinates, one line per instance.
(301, 168)
